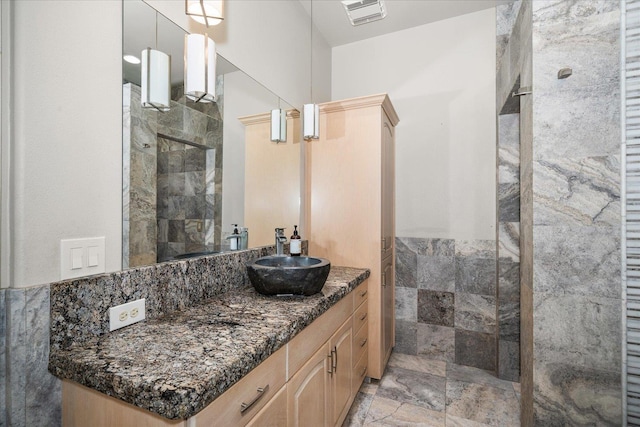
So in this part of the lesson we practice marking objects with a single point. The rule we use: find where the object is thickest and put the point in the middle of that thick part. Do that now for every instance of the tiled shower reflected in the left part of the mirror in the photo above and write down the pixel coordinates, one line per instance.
(172, 177)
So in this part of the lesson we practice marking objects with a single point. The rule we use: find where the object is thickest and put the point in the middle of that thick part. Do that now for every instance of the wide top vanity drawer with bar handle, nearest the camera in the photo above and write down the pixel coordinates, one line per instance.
(255, 390)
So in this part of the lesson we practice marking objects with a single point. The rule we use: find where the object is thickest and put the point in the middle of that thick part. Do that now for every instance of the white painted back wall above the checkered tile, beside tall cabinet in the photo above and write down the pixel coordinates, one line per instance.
(441, 79)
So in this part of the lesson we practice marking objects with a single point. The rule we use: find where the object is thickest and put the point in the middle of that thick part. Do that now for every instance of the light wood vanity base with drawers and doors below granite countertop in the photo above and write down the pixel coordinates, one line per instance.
(311, 381)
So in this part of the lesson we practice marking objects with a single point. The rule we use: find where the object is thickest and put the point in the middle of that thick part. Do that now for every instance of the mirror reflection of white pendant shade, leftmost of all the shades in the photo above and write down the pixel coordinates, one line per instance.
(156, 80)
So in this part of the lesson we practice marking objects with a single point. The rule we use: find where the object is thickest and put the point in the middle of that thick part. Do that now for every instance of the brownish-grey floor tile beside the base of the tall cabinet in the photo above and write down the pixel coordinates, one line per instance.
(416, 388)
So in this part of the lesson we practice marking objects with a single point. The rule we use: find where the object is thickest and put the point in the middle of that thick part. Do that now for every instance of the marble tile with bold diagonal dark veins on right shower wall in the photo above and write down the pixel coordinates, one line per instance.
(577, 192)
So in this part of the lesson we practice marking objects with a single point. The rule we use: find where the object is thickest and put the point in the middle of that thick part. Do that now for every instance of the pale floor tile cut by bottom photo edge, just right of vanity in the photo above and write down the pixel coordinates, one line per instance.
(387, 412)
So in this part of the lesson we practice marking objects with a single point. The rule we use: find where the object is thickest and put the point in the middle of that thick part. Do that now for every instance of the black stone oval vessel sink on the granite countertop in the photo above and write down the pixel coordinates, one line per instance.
(298, 275)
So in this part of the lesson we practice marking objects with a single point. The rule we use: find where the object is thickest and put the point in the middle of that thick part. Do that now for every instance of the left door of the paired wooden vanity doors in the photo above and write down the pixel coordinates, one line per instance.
(308, 392)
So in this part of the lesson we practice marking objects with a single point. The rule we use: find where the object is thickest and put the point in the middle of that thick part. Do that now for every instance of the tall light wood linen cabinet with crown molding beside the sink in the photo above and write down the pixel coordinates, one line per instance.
(350, 180)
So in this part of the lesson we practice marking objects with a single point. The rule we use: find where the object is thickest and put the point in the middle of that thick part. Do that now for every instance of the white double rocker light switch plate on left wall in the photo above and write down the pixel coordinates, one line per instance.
(82, 257)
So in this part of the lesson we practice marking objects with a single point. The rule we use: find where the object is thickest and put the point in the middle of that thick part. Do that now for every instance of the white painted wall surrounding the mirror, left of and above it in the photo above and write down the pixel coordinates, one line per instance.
(66, 154)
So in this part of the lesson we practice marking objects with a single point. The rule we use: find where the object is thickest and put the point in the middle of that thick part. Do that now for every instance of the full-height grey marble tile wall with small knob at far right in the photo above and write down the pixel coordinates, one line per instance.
(576, 214)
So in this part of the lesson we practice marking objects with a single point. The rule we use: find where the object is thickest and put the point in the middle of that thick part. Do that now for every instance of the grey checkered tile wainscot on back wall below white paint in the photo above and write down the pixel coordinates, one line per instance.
(446, 300)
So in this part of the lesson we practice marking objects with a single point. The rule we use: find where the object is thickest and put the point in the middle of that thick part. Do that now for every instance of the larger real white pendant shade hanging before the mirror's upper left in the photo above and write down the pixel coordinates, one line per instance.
(199, 68)
